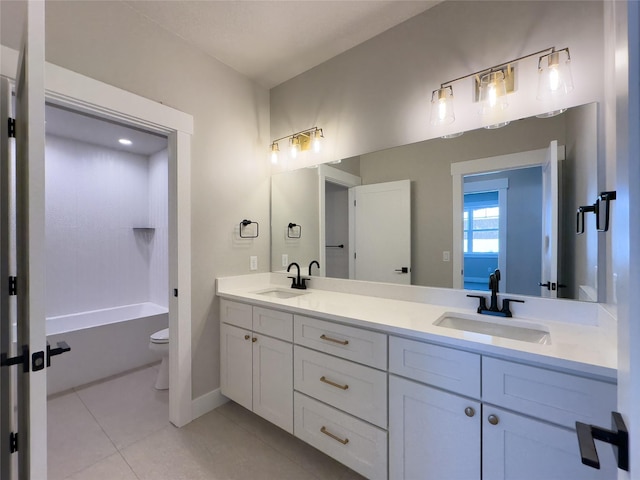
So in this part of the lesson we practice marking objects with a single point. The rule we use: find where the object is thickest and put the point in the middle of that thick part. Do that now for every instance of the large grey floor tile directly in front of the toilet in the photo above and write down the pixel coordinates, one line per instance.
(128, 407)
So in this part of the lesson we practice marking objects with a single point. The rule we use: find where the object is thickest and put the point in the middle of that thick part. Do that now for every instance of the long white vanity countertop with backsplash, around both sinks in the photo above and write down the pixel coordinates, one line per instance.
(589, 348)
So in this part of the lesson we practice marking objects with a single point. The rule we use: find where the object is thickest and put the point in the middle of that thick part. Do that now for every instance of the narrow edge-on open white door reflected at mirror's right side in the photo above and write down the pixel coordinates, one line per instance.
(549, 271)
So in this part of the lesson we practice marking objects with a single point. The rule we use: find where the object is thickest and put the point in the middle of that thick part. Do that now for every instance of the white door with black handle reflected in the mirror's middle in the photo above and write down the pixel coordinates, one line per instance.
(382, 232)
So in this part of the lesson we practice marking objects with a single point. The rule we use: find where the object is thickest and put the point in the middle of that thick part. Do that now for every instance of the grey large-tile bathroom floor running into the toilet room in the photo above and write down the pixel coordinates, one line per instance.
(119, 429)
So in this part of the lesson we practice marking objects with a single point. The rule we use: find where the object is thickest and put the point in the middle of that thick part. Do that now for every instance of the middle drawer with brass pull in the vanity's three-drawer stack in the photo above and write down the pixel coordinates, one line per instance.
(356, 389)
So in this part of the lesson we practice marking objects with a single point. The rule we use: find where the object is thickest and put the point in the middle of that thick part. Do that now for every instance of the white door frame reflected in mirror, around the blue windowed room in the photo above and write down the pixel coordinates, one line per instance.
(531, 158)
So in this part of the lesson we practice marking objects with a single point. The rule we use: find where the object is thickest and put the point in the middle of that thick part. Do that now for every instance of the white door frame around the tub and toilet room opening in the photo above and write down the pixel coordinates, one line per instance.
(80, 93)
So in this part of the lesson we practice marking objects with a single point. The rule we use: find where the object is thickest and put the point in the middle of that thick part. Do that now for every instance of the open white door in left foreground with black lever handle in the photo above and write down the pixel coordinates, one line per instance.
(32, 386)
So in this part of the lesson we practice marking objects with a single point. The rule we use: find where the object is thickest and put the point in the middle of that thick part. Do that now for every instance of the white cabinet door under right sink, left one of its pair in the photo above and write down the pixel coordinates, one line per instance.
(430, 435)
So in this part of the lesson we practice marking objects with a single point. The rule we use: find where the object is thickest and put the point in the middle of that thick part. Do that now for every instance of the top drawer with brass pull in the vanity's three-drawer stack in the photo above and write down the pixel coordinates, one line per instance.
(352, 343)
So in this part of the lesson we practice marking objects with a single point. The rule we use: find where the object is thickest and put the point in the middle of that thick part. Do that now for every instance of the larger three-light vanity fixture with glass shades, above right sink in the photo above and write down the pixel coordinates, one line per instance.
(493, 84)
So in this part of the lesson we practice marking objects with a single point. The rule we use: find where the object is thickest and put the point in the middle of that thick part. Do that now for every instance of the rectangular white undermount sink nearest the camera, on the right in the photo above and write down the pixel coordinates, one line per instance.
(496, 327)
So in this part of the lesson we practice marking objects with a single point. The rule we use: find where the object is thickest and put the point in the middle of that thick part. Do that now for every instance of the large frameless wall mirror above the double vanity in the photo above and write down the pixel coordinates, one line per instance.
(418, 214)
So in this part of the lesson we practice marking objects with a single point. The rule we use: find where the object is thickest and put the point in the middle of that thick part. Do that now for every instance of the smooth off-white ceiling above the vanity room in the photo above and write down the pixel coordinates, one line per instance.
(269, 41)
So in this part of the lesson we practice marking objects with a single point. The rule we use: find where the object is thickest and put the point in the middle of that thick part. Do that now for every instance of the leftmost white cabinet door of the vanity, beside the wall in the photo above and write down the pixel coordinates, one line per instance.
(236, 365)
